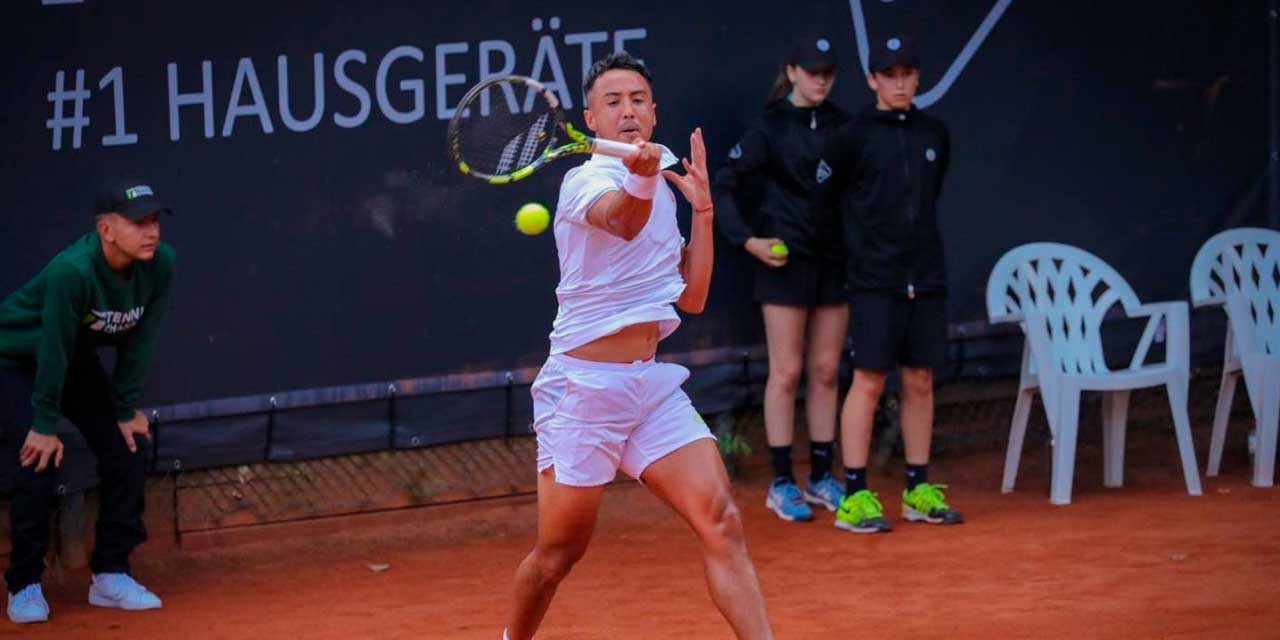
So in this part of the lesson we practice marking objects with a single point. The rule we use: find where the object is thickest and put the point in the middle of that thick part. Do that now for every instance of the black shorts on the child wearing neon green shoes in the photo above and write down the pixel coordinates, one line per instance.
(892, 330)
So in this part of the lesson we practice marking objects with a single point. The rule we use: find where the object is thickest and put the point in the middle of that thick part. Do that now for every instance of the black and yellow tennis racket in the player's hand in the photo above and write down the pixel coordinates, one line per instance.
(509, 127)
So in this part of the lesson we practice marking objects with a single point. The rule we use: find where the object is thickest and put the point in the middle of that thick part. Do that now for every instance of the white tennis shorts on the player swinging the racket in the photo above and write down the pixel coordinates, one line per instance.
(596, 418)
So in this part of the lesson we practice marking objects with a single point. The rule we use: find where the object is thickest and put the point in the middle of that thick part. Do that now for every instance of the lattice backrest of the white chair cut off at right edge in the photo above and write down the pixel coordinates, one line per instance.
(1241, 269)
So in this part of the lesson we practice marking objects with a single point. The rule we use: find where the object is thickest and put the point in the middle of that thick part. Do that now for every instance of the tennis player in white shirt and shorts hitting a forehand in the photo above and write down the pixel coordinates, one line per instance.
(602, 403)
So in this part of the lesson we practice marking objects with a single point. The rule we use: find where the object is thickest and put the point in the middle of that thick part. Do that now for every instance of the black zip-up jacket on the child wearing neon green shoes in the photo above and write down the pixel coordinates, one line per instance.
(885, 172)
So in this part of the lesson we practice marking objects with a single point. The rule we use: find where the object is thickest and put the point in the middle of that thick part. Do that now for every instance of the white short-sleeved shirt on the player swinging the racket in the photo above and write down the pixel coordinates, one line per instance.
(609, 284)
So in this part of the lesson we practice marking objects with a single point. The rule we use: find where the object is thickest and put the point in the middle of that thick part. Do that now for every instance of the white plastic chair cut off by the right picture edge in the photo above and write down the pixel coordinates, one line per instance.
(1241, 271)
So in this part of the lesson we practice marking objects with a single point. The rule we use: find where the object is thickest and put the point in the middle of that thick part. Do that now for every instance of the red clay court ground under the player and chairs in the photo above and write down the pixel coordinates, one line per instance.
(1141, 563)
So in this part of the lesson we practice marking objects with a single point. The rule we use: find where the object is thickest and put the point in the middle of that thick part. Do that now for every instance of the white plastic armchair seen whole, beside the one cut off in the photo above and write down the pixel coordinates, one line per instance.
(1060, 296)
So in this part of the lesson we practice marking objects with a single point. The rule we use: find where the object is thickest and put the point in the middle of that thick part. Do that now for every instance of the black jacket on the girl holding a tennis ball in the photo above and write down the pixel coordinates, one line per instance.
(779, 154)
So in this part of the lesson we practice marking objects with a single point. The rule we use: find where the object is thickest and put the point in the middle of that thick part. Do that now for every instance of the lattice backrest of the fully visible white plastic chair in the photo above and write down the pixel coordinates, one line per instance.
(1069, 291)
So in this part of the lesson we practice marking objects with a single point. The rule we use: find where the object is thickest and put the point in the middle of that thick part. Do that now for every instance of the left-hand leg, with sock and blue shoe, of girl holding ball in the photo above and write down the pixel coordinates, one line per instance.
(784, 331)
